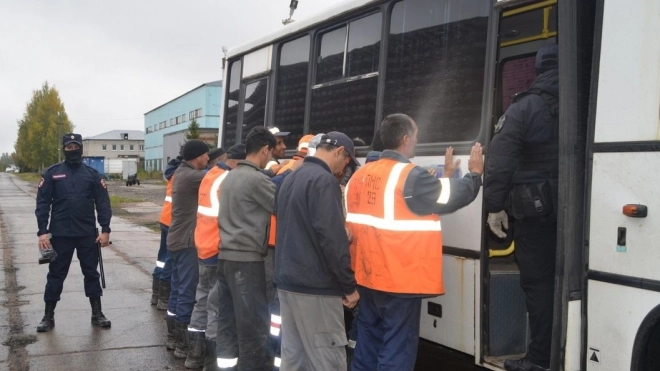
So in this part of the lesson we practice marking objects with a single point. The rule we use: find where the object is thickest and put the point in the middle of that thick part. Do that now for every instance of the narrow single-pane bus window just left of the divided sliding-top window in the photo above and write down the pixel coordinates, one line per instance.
(291, 89)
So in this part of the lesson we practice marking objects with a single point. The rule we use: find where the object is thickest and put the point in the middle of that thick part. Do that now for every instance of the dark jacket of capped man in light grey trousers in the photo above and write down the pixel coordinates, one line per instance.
(312, 254)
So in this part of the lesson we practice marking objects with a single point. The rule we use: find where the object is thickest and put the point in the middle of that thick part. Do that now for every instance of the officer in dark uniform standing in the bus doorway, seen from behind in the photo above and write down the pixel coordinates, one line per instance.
(521, 177)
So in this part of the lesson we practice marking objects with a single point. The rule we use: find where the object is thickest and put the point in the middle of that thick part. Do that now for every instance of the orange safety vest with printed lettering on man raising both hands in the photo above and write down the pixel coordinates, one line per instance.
(393, 249)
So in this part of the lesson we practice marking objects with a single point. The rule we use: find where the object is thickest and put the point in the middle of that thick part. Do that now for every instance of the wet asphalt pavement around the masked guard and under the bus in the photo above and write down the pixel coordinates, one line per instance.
(137, 337)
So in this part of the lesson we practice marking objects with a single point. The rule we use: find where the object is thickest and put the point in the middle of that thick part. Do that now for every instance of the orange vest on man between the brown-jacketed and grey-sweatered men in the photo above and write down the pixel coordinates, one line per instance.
(207, 231)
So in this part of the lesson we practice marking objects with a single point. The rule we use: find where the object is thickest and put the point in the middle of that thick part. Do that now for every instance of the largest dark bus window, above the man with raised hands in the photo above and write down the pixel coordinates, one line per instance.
(435, 66)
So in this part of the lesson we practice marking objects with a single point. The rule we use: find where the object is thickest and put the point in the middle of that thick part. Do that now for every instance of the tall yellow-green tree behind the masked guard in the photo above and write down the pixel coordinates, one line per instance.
(40, 130)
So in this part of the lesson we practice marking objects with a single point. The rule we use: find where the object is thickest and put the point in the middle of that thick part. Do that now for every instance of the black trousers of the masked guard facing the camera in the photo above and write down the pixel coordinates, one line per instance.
(88, 255)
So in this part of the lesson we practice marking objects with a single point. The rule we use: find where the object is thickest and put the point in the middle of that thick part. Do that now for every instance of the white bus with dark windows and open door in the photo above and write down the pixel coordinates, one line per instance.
(453, 66)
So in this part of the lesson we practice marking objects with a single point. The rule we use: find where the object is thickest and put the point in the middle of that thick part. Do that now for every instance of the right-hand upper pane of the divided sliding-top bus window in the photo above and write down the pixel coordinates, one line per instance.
(363, 45)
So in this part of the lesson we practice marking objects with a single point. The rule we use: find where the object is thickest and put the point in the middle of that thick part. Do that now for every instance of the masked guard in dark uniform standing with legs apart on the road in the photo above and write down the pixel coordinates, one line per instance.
(72, 190)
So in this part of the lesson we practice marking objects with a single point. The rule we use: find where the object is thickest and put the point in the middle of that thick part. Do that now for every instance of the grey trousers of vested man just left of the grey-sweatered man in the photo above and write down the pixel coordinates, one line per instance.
(206, 310)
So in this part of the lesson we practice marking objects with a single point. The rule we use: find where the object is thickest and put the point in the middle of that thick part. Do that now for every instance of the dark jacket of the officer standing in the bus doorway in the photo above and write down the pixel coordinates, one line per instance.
(525, 139)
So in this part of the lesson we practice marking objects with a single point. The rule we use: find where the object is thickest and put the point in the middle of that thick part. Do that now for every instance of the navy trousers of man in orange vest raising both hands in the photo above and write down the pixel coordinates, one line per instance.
(387, 331)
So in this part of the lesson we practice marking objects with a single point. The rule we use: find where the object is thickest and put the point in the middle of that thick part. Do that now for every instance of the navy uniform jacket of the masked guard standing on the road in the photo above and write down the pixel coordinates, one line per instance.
(68, 194)
